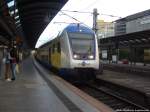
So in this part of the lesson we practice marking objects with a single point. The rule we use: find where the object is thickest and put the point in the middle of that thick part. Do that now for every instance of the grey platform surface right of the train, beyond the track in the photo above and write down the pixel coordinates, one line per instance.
(133, 82)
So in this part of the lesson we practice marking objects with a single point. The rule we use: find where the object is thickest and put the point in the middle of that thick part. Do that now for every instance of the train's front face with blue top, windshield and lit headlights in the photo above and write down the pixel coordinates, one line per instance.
(84, 49)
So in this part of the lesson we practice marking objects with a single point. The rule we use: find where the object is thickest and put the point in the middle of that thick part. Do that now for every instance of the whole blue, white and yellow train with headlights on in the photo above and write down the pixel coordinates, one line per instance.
(74, 52)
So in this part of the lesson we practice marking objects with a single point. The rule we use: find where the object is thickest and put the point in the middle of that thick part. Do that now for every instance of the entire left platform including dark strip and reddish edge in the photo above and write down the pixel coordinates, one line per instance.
(33, 92)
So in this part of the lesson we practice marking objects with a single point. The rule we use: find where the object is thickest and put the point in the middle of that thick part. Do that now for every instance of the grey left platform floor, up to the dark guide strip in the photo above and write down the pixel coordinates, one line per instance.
(28, 93)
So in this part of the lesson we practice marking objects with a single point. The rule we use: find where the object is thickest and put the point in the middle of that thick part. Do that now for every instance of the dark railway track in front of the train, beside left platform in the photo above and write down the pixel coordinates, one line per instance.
(104, 95)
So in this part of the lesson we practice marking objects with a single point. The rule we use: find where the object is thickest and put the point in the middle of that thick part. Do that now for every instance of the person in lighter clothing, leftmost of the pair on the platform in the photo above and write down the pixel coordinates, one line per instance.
(7, 64)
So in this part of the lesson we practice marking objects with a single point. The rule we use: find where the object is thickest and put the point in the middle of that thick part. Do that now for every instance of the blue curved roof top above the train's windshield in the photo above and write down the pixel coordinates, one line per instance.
(78, 28)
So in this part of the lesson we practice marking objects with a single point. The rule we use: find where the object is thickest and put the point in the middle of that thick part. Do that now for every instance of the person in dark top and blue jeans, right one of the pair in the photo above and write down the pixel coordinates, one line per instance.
(13, 62)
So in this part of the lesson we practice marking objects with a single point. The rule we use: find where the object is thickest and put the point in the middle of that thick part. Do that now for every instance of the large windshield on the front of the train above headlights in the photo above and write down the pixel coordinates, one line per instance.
(82, 43)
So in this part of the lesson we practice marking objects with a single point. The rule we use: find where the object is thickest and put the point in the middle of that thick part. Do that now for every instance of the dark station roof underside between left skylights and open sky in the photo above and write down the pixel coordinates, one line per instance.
(32, 16)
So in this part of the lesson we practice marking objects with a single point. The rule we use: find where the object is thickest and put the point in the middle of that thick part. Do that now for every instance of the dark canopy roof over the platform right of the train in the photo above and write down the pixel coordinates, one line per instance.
(135, 39)
